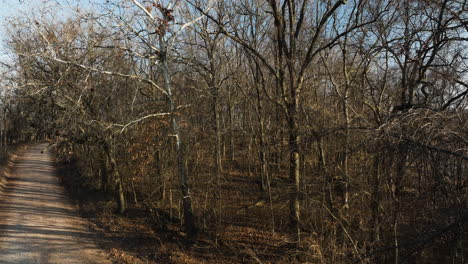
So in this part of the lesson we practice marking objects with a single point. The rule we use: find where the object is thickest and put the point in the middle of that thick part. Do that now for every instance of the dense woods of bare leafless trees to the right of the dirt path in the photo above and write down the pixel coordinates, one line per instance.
(326, 131)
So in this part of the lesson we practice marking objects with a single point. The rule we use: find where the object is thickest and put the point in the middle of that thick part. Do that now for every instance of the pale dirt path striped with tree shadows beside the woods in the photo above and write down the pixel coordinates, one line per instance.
(37, 223)
